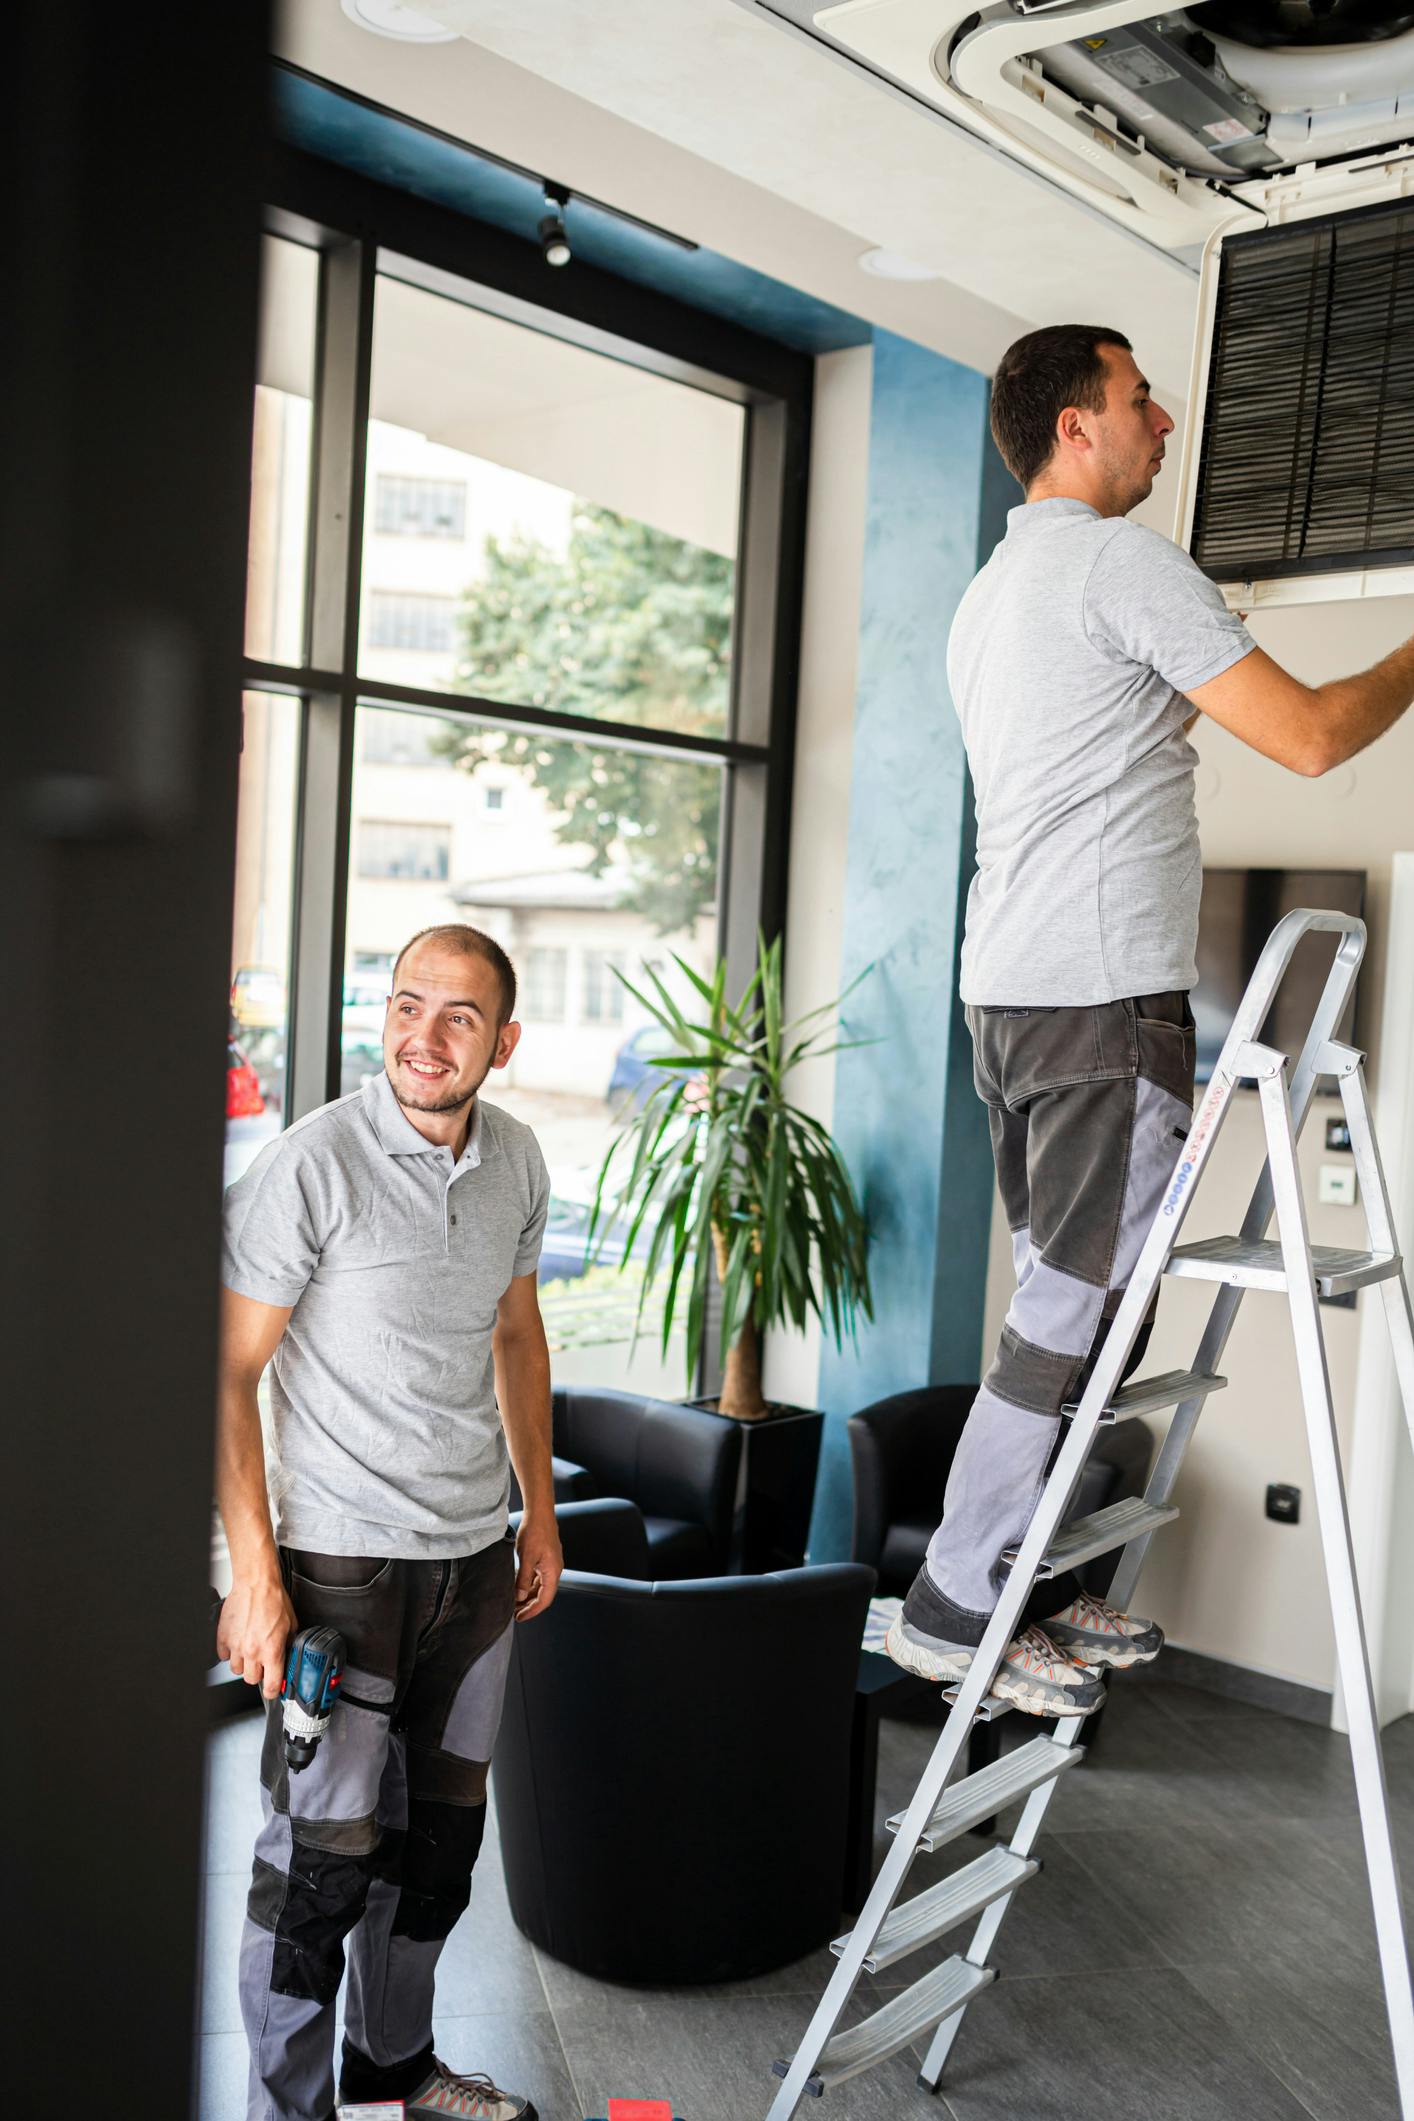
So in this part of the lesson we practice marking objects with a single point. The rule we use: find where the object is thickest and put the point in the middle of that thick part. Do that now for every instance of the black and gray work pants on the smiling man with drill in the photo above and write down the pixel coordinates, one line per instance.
(376, 1840)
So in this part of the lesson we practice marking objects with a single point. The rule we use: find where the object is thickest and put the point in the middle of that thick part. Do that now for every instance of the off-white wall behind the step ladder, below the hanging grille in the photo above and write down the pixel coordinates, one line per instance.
(1224, 1579)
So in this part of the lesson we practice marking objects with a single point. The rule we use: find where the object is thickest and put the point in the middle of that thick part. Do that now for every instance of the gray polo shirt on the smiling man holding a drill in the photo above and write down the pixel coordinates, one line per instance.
(385, 1428)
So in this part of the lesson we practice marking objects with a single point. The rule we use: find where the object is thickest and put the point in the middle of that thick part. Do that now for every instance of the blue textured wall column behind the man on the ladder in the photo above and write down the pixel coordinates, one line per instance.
(906, 1112)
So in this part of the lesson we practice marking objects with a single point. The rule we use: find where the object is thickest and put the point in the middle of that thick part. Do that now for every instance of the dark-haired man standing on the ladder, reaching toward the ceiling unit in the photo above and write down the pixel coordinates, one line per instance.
(1078, 663)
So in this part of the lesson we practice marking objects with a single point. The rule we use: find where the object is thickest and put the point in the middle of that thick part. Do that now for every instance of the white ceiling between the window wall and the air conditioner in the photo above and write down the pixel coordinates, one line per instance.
(707, 120)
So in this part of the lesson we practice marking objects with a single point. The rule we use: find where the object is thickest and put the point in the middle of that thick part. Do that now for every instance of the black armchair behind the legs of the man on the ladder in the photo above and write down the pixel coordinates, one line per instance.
(902, 1452)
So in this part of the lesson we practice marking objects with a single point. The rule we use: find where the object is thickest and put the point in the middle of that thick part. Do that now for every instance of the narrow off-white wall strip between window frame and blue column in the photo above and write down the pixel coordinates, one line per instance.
(824, 756)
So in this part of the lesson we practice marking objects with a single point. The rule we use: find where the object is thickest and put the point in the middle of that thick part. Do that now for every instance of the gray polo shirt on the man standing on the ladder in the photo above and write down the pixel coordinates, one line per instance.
(1070, 661)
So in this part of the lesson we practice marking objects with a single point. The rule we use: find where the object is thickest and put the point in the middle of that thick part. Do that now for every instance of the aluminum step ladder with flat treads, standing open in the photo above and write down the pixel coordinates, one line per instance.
(841, 2044)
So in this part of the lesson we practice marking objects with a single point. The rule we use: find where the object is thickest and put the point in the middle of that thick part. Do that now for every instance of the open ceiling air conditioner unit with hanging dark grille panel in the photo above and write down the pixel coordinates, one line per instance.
(1271, 147)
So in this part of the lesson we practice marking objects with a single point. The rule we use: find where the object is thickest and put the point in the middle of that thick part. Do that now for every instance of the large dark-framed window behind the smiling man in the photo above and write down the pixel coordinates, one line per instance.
(531, 695)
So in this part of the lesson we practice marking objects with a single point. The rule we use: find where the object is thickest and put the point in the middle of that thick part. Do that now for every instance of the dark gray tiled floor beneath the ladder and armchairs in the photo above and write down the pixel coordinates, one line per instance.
(1197, 1948)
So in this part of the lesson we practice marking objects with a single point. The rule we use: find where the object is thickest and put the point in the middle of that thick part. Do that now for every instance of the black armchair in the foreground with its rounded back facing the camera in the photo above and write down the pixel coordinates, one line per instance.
(673, 1770)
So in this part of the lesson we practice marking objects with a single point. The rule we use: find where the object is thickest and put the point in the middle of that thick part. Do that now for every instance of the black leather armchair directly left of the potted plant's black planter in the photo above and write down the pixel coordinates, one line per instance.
(679, 1465)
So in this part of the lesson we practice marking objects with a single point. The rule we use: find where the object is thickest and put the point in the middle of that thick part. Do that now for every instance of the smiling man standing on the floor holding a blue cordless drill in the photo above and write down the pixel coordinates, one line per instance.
(381, 1259)
